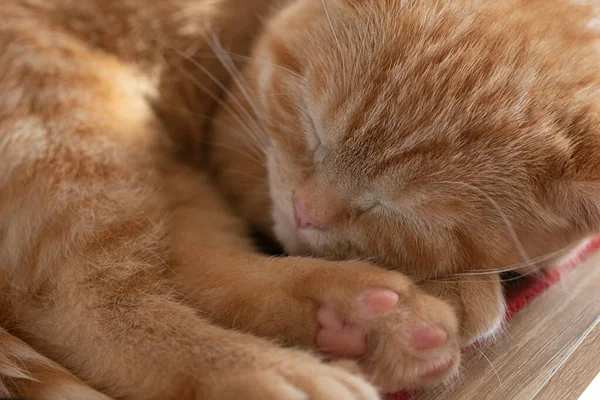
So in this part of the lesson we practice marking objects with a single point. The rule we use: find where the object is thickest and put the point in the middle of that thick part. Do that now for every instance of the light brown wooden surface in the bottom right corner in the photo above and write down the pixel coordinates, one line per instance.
(549, 351)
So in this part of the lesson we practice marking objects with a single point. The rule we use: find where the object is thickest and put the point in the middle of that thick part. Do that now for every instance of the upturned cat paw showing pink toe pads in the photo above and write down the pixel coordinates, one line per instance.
(402, 337)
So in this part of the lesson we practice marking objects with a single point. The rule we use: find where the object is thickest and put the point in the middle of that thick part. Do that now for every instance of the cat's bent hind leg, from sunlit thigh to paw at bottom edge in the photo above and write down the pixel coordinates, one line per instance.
(84, 246)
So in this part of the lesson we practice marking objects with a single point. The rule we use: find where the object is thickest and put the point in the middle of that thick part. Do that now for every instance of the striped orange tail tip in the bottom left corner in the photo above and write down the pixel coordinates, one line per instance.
(25, 373)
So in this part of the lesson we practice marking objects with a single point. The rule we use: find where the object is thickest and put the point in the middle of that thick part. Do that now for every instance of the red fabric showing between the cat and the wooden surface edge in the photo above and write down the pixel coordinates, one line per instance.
(522, 291)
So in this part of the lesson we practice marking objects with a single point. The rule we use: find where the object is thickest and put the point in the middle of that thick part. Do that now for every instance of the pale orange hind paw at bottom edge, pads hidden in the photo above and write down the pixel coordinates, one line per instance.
(298, 378)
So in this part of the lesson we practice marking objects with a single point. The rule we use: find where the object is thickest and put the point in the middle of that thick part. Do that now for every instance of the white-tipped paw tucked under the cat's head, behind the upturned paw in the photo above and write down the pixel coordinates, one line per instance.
(478, 300)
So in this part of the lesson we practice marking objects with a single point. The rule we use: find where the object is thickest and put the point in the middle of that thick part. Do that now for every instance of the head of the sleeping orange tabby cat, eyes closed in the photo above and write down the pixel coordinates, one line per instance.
(429, 136)
